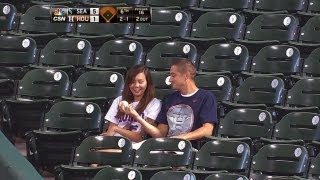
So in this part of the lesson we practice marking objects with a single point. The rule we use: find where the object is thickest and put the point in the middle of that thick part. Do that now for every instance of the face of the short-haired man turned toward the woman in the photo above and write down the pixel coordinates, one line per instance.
(177, 79)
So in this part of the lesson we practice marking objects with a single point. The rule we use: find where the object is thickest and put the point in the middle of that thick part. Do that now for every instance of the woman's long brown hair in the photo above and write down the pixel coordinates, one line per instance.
(127, 94)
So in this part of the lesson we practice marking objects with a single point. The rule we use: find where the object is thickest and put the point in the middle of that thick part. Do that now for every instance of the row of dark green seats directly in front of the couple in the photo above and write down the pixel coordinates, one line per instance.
(154, 155)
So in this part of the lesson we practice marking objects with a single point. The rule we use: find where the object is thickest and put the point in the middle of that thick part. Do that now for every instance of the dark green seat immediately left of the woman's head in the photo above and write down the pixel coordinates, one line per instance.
(99, 90)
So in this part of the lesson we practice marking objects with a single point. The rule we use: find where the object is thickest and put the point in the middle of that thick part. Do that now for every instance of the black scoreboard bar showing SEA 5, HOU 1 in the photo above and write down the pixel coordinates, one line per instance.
(108, 14)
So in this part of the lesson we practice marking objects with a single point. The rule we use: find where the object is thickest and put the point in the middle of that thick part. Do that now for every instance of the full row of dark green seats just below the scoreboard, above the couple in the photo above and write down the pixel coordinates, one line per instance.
(20, 54)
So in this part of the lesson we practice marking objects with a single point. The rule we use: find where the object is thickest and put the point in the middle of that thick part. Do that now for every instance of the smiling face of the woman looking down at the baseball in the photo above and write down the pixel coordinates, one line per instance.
(138, 86)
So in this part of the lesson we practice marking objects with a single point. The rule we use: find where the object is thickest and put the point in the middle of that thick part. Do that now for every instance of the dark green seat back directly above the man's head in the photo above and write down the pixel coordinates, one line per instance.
(163, 54)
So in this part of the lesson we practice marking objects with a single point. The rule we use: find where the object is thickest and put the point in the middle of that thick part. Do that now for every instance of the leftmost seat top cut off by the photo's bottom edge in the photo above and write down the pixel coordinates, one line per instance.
(110, 173)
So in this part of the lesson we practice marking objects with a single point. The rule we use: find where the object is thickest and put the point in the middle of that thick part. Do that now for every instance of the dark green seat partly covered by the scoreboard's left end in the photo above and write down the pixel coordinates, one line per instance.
(36, 23)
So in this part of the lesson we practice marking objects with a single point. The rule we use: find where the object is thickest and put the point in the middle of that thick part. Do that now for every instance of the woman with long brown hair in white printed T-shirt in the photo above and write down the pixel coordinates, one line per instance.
(139, 93)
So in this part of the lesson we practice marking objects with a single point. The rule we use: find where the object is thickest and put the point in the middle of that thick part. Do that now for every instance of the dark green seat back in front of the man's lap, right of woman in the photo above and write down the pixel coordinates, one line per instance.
(162, 152)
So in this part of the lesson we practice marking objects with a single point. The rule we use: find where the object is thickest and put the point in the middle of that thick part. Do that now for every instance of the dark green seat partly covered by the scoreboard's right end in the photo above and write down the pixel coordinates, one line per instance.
(165, 25)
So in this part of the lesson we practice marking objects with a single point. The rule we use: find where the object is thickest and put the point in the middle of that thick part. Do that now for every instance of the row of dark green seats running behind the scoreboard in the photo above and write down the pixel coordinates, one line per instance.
(211, 27)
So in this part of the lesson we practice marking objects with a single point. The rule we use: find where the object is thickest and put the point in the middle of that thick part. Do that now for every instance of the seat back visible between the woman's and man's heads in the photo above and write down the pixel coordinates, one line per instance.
(161, 83)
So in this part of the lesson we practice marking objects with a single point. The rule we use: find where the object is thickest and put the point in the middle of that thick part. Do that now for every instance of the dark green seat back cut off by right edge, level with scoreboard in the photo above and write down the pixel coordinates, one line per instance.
(309, 33)
